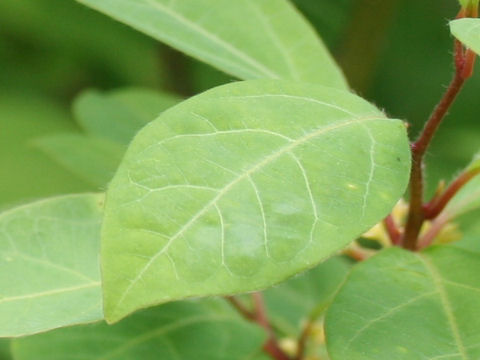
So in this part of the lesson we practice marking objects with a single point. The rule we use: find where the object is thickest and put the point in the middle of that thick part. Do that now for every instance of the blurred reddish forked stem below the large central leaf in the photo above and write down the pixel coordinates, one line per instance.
(259, 316)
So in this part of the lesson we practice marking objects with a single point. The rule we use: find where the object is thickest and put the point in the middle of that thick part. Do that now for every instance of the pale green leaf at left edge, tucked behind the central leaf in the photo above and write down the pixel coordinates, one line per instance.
(49, 268)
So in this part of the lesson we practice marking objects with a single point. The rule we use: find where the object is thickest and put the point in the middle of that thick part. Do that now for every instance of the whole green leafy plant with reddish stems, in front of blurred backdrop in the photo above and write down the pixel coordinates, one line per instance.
(235, 190)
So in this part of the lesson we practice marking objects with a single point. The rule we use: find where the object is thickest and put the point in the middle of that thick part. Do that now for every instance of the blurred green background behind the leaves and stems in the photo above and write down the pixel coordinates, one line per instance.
(396, 53)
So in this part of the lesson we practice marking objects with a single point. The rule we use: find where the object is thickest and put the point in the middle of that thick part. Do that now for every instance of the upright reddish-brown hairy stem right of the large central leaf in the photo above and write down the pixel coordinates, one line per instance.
(416, 215)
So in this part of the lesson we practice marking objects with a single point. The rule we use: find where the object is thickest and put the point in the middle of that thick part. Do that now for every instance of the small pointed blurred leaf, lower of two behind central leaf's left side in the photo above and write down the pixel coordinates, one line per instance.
(93, 159)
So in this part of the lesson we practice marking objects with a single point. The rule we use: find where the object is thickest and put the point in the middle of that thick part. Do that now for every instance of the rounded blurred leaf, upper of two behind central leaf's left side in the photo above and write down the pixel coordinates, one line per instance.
(120, 114)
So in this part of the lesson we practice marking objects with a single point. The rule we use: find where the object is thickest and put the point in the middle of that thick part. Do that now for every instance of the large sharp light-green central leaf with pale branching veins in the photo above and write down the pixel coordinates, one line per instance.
(243, 186)
